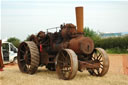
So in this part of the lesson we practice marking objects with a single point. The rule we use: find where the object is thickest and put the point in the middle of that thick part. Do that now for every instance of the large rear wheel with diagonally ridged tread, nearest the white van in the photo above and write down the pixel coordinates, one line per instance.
(28, 57)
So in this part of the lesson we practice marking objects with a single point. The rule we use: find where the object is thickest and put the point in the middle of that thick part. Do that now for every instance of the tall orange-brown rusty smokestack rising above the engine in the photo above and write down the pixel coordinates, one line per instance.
(79, 19)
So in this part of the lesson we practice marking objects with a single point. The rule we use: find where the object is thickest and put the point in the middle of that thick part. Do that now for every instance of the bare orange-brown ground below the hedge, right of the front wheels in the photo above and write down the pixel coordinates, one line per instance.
(118, 63)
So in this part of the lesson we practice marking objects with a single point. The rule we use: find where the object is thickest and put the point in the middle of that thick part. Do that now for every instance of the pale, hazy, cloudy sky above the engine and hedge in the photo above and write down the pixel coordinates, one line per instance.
(20, 18)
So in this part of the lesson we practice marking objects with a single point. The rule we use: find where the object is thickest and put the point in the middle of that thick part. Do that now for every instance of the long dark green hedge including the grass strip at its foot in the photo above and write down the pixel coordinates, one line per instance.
(114, 44)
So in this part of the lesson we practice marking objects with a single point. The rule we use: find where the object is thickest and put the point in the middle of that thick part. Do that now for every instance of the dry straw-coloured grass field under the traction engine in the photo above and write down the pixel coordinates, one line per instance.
(12, 76)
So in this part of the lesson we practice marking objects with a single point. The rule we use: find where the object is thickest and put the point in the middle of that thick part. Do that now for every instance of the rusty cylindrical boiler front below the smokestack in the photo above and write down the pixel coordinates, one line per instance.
(81, 45)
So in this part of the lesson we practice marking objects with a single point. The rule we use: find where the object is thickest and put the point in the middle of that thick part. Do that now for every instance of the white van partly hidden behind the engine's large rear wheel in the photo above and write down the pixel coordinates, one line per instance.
(9, 52)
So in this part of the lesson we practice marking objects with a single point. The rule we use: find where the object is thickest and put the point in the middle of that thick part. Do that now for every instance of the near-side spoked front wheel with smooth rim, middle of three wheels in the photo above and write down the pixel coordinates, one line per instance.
(66, 64)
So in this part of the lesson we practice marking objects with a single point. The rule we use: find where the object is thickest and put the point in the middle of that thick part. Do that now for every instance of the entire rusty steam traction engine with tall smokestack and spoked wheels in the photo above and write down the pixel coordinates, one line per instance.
(66, 51)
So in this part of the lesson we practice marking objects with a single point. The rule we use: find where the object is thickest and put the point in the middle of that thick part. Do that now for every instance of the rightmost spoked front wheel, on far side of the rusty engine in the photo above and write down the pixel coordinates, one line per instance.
(100, 56)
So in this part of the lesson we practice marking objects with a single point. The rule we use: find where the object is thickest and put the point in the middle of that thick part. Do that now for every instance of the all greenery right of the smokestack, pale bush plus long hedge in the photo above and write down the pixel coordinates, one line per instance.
(110, 44)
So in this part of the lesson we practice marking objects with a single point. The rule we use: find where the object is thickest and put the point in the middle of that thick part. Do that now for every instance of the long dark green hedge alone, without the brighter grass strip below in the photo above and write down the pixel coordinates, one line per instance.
(113, 42)
